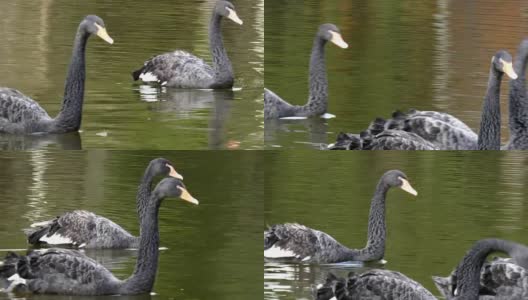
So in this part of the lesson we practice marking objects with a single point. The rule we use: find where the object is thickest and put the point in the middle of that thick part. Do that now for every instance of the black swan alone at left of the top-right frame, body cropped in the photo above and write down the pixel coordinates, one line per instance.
(275, 107)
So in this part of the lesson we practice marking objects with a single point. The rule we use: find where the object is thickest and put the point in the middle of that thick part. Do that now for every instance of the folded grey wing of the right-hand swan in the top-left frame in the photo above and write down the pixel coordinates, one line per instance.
(178, 69)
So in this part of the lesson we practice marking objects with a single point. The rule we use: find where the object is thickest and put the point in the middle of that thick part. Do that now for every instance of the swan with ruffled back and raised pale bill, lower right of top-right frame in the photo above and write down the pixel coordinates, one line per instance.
(431, 130)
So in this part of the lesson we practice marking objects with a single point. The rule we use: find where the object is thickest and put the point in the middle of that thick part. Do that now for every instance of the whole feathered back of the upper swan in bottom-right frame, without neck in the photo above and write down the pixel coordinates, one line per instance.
(304, 243)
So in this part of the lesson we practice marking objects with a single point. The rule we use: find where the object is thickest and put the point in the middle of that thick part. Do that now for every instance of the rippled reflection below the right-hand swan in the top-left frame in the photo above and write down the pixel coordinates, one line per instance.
(190, 104)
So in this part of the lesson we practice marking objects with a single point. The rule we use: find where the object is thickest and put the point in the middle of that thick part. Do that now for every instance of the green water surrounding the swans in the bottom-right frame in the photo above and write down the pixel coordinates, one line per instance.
(462, 197)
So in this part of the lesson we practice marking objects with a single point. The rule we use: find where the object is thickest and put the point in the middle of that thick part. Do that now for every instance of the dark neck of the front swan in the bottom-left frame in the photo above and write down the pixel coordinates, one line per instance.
(144, 275)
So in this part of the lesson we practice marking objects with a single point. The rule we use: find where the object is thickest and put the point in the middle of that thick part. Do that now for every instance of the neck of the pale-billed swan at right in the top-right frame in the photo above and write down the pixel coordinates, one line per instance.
(489, 134)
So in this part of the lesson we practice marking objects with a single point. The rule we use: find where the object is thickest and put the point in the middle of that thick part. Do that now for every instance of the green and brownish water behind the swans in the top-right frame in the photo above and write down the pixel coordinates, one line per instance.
(429, 55)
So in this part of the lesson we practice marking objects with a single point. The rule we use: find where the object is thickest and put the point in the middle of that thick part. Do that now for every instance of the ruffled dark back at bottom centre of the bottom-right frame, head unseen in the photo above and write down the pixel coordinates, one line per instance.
(373, 284)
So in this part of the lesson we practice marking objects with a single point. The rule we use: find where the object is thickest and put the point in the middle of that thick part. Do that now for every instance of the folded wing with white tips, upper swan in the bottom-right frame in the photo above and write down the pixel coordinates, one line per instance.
(290, 241)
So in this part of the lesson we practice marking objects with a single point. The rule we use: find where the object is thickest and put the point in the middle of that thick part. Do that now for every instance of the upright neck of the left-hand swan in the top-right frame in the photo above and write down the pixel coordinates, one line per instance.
(317, 100)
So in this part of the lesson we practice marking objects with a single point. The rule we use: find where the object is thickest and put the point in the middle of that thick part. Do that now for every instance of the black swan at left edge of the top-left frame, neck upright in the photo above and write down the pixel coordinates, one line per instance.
(20, 114)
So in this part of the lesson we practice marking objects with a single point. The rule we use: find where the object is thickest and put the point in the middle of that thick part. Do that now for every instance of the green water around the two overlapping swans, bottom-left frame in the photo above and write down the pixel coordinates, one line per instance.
(213, 249)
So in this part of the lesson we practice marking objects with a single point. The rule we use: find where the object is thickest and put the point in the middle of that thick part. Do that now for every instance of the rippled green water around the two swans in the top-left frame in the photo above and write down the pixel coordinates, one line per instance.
(119, 114)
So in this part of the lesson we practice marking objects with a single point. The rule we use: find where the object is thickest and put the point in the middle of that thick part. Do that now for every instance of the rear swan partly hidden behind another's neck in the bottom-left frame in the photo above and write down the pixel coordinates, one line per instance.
(84, 229)
